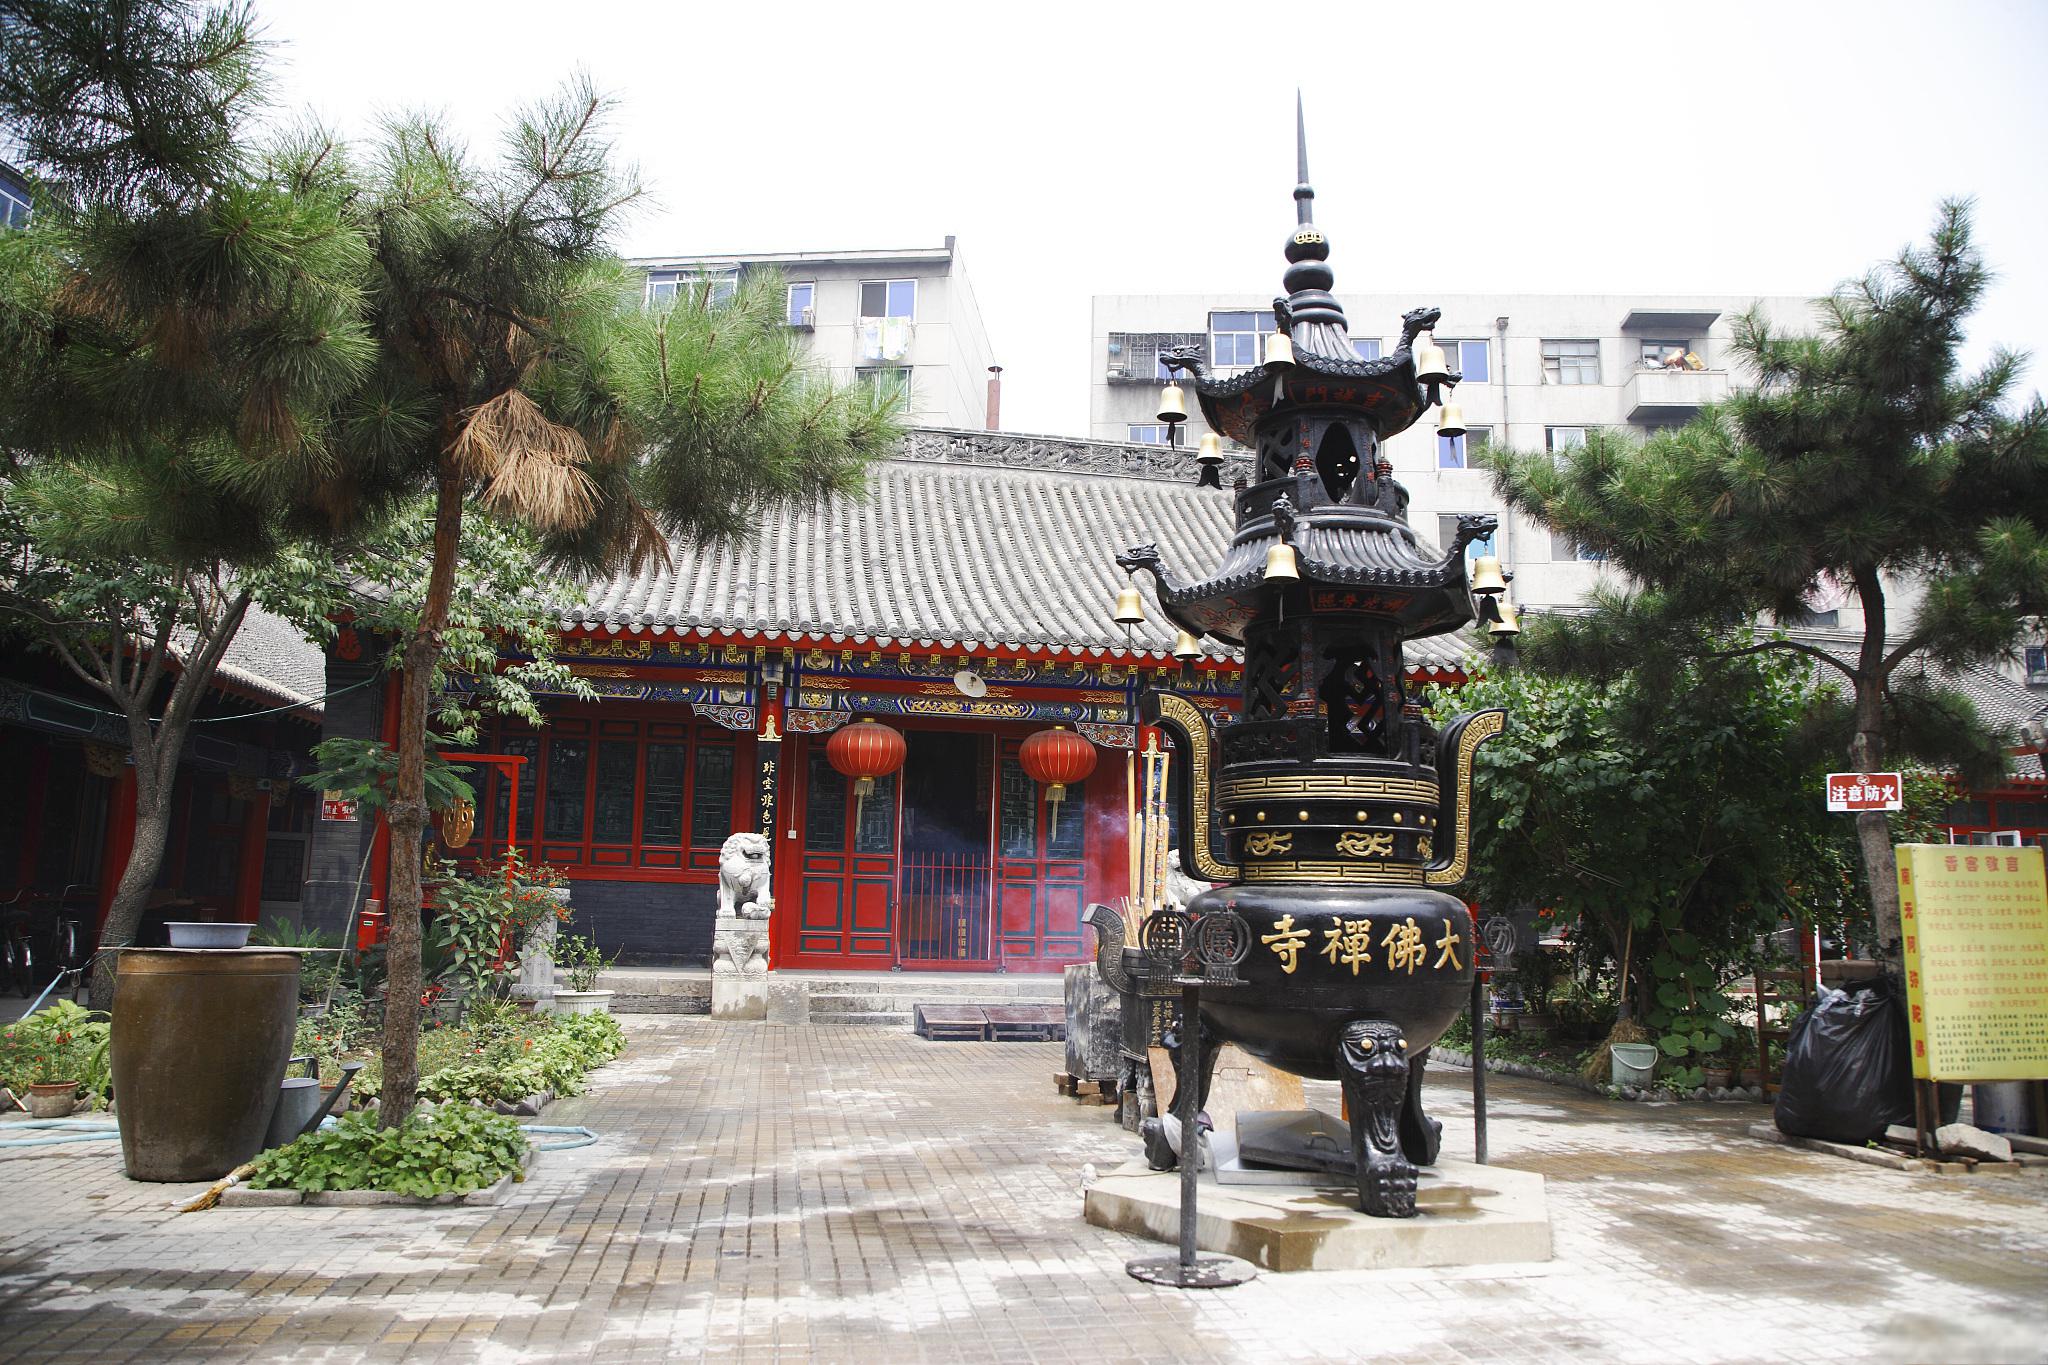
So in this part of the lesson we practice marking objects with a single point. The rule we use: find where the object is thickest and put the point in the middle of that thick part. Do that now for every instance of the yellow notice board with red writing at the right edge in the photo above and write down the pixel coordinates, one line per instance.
(1975, 920)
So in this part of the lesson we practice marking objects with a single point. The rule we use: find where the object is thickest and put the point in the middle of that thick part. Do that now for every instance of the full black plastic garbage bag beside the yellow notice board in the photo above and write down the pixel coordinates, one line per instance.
(1848, 1069)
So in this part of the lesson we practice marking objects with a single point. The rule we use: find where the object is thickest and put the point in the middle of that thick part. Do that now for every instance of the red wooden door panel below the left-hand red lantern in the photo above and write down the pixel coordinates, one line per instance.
(847, 885)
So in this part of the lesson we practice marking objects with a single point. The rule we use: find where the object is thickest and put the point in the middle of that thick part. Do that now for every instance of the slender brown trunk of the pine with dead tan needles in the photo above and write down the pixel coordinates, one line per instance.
(407, 818)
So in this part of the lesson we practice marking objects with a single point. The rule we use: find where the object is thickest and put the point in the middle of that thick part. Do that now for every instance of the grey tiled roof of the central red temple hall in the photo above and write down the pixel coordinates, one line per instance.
(955, 549)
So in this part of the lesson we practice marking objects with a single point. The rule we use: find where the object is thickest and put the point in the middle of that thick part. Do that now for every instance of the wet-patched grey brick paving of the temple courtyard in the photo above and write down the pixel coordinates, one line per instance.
(861, 1196)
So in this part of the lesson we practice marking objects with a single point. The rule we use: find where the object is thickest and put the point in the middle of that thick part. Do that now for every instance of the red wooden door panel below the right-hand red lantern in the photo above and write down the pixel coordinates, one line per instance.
(1041, 869)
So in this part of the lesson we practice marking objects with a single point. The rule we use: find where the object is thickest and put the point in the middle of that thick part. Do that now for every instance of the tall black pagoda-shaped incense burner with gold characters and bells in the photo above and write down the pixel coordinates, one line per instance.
(1332, 809)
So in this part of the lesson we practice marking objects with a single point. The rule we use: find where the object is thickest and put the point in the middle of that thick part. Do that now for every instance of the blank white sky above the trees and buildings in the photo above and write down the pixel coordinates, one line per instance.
(1119, 148)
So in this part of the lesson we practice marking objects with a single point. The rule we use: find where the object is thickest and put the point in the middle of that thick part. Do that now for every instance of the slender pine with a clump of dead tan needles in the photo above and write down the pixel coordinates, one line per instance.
(517, 373)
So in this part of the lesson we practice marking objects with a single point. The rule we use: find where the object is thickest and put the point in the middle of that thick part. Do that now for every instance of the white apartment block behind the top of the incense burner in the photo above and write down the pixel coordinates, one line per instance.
(1539, 373)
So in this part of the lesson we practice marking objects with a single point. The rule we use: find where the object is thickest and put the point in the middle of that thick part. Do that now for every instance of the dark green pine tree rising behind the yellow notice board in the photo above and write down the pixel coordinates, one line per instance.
(1865, 461)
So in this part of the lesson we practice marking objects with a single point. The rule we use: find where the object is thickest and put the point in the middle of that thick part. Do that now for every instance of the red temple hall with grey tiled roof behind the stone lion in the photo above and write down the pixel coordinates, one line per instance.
(966, 603)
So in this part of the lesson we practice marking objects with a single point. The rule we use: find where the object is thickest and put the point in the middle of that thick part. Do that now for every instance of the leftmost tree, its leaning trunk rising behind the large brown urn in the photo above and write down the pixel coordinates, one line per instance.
(173, 326)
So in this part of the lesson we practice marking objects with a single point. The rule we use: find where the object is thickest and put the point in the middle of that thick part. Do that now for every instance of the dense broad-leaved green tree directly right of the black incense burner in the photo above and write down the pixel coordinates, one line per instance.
(1668, 820)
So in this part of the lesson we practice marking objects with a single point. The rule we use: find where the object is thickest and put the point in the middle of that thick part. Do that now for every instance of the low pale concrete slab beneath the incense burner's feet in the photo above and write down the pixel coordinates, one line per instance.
(1467, 1217)
